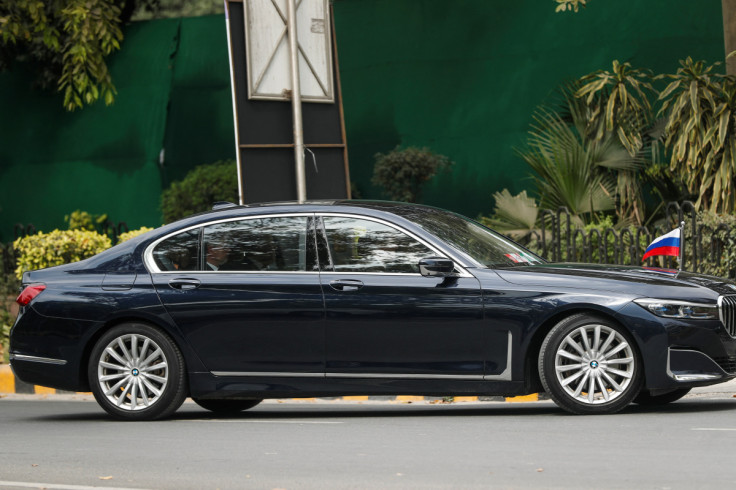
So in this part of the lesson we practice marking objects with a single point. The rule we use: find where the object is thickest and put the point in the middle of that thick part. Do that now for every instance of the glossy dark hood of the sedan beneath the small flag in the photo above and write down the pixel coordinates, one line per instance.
(634, 281)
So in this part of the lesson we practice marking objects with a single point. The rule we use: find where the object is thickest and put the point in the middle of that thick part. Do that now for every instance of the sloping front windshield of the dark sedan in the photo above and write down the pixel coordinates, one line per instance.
(477, 241)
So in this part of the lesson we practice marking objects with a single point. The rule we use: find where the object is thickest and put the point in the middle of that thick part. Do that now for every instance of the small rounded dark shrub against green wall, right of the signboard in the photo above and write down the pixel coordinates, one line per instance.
(403, 172)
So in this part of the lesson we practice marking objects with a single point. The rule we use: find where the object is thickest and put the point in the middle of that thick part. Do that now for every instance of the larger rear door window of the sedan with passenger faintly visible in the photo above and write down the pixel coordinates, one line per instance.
(258, 244)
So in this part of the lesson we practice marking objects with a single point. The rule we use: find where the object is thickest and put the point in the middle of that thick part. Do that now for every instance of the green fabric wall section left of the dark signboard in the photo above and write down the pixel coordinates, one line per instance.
(173, 85)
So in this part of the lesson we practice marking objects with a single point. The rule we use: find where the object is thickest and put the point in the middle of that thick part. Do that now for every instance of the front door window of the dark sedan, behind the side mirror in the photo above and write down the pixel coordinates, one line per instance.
(360, 245)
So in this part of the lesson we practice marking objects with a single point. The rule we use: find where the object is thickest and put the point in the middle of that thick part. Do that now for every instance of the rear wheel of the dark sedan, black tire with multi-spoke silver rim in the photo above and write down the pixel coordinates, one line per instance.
(142, 374)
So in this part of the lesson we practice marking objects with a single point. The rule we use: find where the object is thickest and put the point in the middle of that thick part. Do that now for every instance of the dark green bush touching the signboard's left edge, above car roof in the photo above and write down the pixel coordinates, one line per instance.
(200, 188)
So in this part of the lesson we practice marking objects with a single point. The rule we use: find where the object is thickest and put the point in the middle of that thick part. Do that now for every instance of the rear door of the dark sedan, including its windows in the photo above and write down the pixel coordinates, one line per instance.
(246, 294)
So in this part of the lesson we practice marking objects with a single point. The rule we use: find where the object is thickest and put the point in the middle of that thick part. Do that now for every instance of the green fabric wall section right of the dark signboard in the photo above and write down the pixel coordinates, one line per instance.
(464, 77)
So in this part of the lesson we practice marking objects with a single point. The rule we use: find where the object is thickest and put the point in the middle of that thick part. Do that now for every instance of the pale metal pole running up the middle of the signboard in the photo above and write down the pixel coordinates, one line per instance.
(296, 103)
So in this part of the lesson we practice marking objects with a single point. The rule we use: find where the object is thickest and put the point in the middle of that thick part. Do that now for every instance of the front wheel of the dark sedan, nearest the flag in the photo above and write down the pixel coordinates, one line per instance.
(608, 361)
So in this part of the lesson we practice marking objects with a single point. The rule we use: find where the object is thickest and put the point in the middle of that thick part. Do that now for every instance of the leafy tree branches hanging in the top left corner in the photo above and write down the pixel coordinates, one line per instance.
(68, 40)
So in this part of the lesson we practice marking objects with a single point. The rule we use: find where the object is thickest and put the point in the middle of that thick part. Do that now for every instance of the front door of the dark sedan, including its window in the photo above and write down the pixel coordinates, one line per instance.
(384, 319)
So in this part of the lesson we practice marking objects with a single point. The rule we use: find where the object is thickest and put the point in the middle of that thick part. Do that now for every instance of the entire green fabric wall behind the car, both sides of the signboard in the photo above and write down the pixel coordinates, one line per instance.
(461, 77)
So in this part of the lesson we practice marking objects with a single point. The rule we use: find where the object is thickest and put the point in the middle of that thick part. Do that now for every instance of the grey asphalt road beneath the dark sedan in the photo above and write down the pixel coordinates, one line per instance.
(72, 445)
